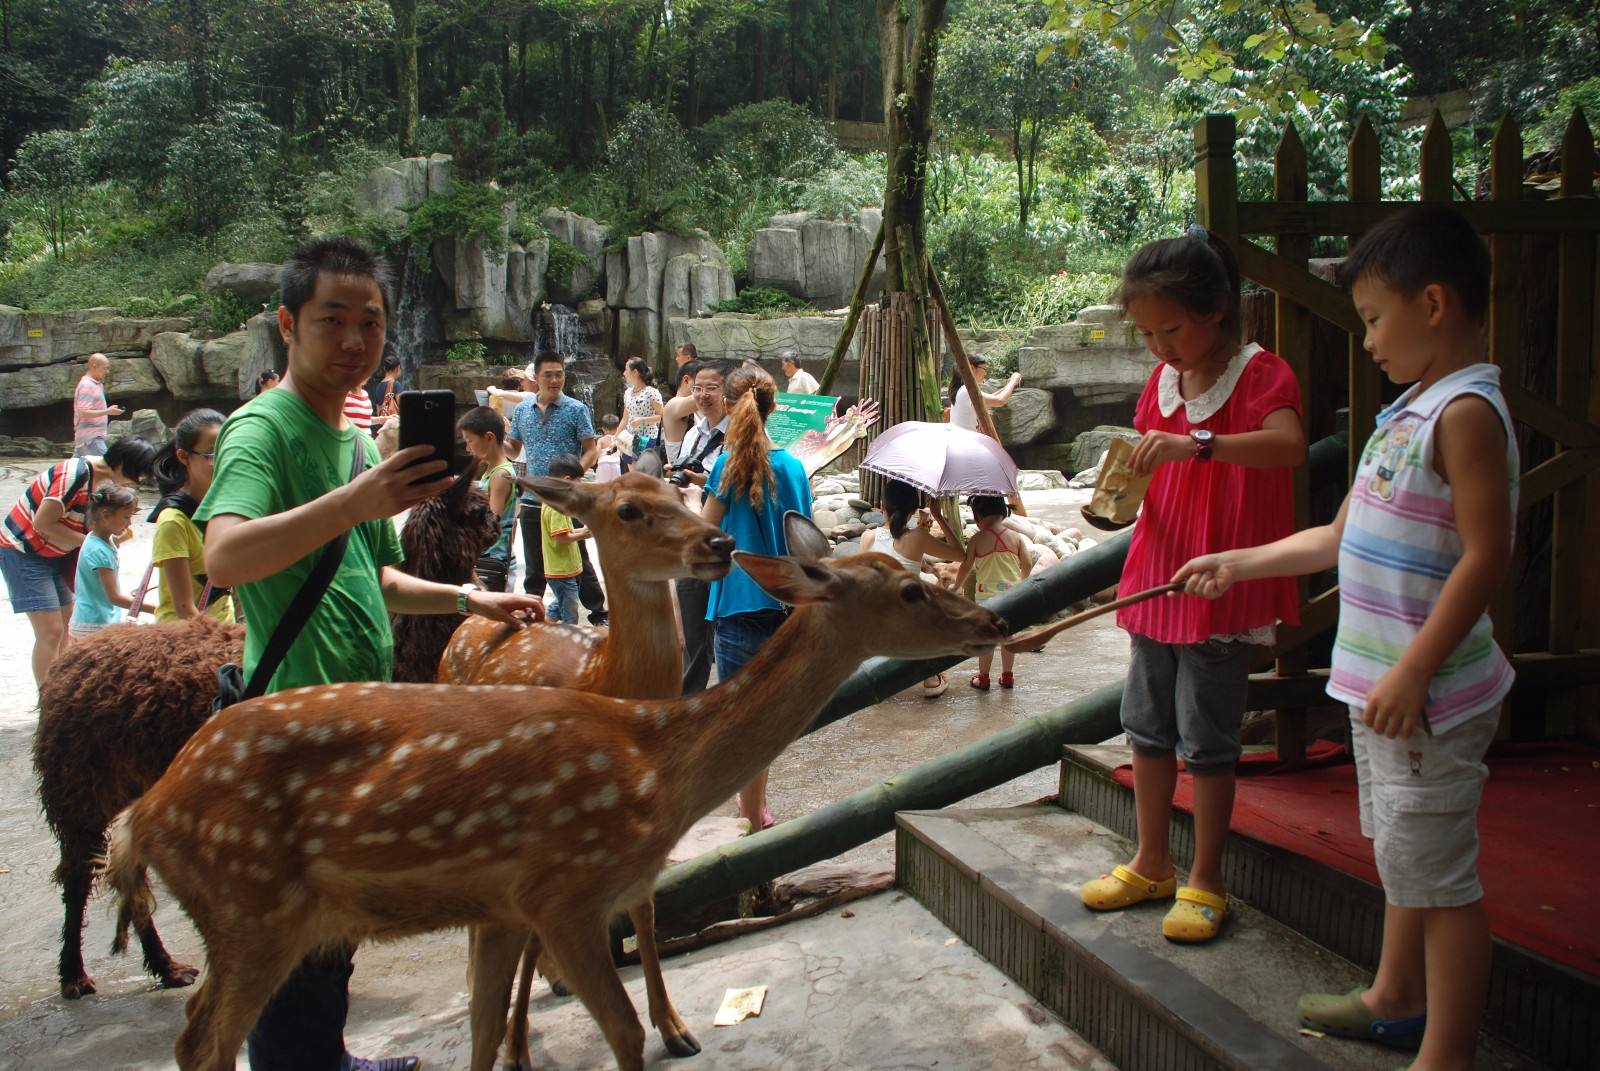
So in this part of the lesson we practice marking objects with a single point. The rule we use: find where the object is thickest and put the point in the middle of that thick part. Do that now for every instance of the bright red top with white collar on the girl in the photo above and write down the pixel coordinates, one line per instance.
(1206, 507)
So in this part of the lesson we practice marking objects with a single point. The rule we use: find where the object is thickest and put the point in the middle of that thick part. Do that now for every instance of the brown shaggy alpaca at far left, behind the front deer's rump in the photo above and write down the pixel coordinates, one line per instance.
(111, 716)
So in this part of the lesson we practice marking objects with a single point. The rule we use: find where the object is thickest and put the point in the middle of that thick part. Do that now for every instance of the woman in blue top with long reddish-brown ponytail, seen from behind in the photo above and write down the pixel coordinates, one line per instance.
(748, 494)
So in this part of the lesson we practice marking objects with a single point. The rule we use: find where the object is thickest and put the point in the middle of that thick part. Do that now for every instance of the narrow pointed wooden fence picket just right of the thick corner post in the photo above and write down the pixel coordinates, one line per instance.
(1294, 347)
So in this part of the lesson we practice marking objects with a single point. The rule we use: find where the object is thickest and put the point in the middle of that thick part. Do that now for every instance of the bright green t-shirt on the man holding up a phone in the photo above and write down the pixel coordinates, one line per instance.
(274, 455)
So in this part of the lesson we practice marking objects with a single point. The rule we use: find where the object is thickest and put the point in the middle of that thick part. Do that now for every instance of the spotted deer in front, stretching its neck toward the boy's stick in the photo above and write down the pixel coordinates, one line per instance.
(287, 824)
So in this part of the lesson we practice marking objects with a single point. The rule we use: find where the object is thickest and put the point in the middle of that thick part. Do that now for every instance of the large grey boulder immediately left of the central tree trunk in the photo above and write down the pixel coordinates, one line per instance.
(814, 259)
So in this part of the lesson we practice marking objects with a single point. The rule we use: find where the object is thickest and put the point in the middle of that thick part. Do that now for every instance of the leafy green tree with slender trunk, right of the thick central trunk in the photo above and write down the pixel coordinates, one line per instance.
(1004, 70)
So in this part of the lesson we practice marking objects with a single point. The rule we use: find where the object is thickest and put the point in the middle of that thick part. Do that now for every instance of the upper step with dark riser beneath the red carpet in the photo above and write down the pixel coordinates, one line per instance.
(1540, 1008)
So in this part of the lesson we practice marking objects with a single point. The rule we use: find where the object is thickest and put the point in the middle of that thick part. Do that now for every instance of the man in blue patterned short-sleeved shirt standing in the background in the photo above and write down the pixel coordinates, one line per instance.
(546, 425)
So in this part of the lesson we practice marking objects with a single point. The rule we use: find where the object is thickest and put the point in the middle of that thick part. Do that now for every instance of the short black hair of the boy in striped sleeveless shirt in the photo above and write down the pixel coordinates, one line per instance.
(1418, 247)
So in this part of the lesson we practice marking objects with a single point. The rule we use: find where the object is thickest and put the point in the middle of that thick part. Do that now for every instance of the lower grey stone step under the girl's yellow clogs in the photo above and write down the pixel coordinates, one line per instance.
(1007, 883)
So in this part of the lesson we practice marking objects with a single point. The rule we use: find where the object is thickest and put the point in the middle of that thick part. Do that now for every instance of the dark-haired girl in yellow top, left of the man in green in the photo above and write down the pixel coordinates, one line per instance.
(183, 471)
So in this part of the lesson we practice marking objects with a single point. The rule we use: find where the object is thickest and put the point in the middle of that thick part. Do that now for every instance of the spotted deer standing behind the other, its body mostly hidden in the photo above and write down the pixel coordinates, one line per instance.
(646, 539)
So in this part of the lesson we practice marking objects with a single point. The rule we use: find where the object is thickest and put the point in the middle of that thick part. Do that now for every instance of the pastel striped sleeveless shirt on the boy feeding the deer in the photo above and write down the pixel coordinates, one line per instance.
(1399, 548)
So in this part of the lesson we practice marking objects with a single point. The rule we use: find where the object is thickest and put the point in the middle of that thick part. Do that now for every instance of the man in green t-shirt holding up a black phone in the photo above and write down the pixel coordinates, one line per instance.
(282, 492)
